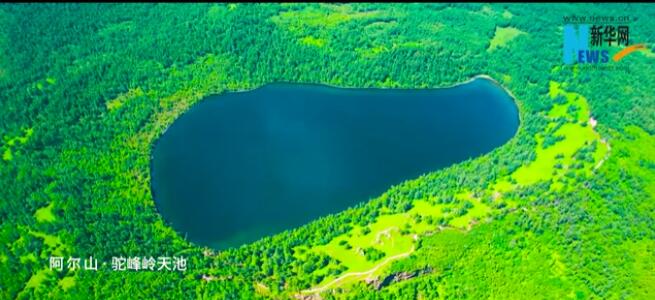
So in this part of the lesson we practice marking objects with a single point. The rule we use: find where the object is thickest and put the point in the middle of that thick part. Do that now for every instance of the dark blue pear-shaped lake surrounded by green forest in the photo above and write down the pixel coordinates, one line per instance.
(239, 166)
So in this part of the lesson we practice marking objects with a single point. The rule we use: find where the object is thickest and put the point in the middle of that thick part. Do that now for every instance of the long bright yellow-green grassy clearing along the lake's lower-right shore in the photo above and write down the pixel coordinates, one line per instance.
(396, 234)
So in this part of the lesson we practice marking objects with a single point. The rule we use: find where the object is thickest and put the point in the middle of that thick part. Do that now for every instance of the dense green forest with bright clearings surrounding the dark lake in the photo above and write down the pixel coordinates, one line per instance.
(565, 209)
